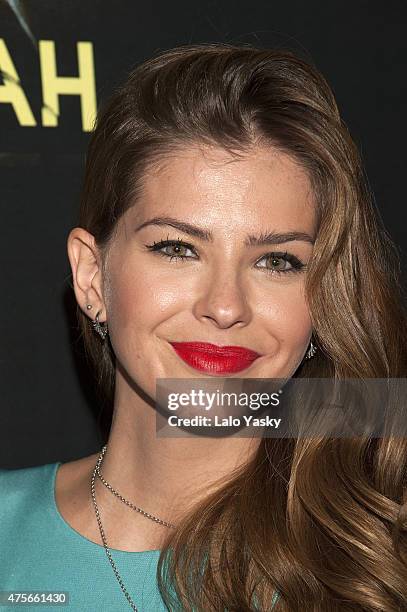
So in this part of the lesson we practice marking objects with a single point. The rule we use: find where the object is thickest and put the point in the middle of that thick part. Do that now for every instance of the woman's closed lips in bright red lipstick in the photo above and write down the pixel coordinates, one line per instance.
(207, 357)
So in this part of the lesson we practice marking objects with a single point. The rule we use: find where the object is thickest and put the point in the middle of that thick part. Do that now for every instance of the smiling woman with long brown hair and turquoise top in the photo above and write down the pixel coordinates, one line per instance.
(224, 204)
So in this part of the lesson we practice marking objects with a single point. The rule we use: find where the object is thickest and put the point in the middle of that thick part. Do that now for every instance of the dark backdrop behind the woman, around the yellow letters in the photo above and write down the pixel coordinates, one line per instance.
(49, 410)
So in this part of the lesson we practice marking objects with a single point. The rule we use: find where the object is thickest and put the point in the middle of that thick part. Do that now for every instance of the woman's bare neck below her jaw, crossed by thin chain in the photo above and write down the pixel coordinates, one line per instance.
(164, 476)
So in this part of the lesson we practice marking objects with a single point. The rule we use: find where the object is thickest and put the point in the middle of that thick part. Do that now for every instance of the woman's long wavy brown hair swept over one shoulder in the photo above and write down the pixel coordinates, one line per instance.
(321, 522)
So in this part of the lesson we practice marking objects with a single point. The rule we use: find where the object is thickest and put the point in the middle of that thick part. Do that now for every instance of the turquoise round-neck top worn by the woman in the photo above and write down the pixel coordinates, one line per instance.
(40, 551)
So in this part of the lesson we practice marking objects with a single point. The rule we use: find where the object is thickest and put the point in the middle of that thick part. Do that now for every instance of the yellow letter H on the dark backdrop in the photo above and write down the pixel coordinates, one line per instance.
(53, 85)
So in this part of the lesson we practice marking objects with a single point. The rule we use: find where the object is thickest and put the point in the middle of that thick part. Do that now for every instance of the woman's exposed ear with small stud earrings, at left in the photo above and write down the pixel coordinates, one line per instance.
(86, 264)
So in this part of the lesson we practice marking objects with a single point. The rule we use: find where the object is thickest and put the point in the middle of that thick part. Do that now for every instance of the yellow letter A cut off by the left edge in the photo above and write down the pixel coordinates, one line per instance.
(11, 91)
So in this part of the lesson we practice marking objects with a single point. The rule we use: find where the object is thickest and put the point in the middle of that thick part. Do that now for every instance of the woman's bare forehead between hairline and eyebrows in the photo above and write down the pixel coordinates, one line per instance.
(210, 186)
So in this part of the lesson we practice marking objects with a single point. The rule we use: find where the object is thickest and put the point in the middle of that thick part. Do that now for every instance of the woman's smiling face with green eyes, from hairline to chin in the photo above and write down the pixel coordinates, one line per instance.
(228, 289)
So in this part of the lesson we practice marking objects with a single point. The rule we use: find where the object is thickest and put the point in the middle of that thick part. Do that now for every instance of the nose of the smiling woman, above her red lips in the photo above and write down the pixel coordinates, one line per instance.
(223, 300)
